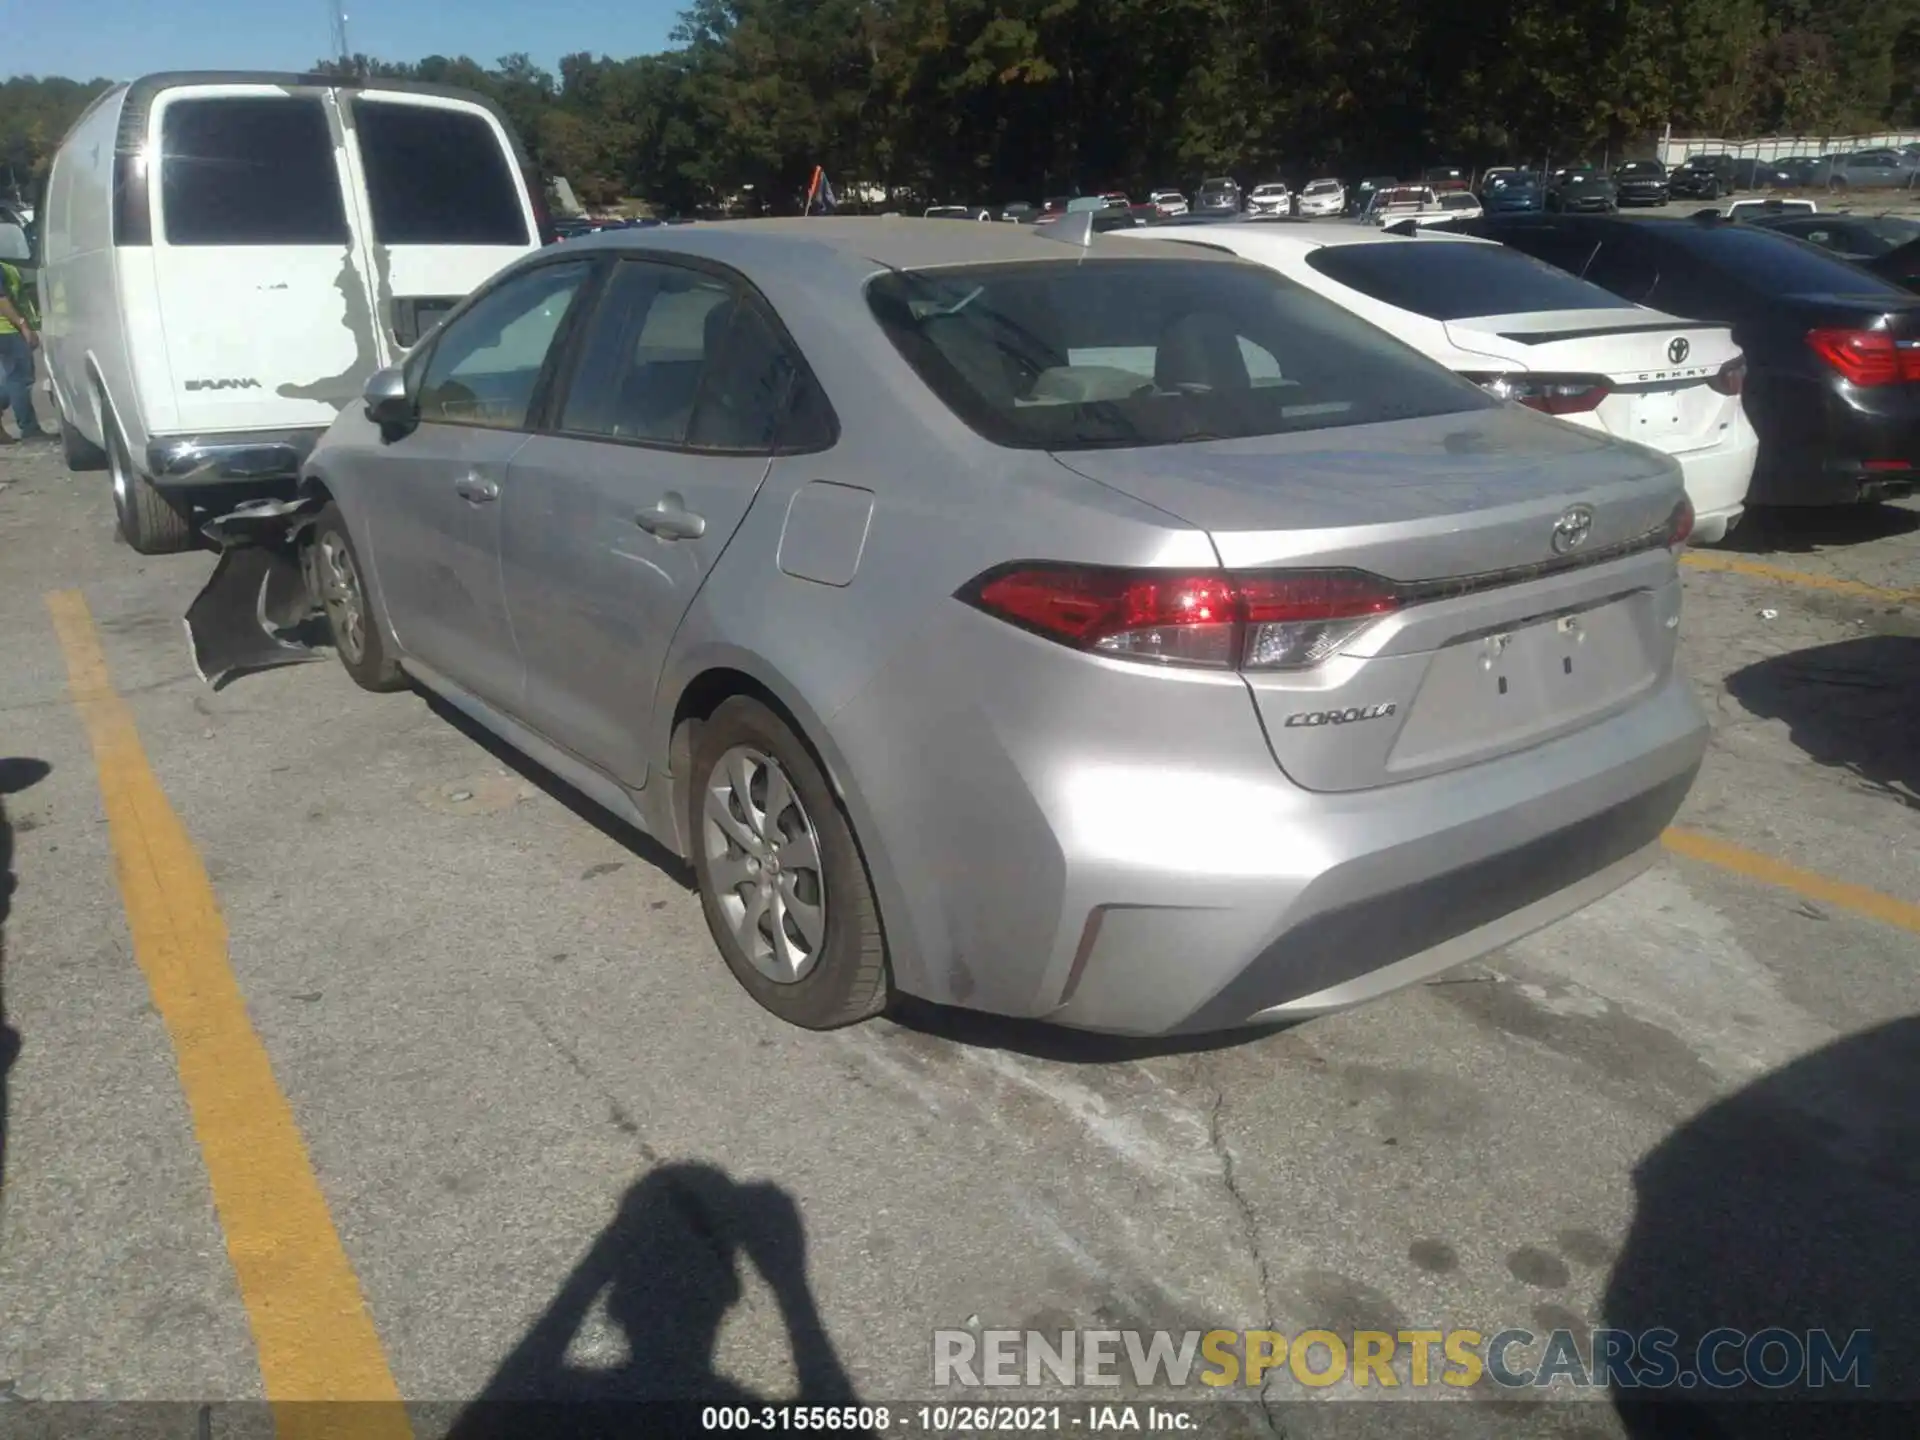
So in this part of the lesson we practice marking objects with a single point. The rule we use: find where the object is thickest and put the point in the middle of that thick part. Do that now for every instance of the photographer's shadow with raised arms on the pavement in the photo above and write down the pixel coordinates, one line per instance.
(669, 1270)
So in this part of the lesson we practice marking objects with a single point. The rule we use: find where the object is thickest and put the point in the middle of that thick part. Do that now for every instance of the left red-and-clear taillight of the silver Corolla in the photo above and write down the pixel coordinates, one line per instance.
(1251, 621)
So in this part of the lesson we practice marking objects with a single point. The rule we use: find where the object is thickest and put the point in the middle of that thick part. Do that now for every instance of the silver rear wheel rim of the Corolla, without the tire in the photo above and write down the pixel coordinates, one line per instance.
(763, 857)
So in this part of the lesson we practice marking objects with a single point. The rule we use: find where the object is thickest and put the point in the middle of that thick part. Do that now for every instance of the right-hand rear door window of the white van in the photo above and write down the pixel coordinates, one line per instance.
(437, 176)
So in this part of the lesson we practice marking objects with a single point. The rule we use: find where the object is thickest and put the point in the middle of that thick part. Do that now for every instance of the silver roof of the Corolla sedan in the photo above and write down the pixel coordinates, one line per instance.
(884, 241)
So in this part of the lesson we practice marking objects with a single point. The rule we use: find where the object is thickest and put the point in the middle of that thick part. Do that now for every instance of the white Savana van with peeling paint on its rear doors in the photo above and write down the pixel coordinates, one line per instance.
(228, 256)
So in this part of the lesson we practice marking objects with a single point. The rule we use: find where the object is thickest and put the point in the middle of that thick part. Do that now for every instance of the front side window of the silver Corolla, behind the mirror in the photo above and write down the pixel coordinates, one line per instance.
(487, 364)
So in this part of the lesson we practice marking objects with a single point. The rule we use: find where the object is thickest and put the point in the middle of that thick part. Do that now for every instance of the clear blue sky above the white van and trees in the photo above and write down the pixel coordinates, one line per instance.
(122, 39)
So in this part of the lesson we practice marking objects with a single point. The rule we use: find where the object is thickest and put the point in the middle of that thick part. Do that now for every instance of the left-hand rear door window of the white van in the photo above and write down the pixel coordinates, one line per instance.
(251, 172)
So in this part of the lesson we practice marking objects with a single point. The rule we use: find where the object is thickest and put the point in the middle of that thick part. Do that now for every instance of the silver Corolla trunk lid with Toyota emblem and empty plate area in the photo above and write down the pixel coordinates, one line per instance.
(1537, 590)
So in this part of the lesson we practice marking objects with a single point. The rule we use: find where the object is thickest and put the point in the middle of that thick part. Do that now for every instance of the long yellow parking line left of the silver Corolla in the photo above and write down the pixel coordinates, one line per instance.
(310, 1322)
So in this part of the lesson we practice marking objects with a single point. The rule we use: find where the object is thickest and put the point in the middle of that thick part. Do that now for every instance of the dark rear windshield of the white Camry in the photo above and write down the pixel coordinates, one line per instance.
(1456, 279)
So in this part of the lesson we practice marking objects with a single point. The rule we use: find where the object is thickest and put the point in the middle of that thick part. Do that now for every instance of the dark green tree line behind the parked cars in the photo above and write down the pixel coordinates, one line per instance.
(990, 101)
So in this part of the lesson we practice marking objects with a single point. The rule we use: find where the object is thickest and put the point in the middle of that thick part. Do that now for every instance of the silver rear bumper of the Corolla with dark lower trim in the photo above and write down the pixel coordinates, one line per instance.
(1118, 852)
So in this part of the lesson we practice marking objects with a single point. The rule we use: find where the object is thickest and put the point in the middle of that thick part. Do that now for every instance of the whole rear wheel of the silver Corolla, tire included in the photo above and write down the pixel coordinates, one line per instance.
(780, 875)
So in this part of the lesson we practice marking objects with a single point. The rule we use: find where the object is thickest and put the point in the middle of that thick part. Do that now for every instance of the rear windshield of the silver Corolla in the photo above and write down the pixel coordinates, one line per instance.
(1118, 352)
